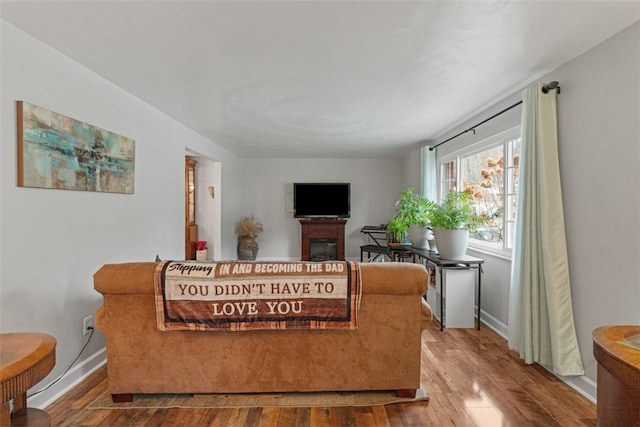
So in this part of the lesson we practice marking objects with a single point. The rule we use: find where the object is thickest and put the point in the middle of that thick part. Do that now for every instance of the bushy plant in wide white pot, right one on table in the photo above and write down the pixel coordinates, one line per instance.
(451, 221)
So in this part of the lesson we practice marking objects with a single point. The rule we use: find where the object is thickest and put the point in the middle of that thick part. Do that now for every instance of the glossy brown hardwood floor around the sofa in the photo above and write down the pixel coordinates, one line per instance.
(470, 376)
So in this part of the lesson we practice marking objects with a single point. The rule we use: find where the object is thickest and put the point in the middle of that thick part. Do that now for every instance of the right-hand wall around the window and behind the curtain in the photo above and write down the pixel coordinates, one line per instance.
(599, 147)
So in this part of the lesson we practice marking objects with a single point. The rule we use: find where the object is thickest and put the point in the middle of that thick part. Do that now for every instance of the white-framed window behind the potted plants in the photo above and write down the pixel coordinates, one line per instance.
(489, 169)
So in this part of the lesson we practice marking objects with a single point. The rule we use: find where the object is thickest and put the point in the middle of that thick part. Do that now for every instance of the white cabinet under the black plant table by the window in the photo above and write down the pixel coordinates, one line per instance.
(454, 292)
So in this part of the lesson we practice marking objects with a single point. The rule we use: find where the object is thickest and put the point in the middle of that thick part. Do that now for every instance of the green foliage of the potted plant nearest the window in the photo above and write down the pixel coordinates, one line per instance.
(455, 212)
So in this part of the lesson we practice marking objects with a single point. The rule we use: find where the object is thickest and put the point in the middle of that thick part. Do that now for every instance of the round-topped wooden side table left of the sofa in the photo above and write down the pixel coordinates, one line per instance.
(25, 359)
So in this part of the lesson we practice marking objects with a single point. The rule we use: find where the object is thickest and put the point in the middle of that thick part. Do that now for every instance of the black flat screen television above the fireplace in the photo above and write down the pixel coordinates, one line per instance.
(321, 200)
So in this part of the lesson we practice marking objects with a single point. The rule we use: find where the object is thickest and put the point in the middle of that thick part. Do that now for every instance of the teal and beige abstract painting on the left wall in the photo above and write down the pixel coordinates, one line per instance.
(55, 151)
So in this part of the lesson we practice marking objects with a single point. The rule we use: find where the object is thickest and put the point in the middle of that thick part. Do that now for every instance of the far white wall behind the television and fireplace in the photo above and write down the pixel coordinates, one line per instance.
(375, 186)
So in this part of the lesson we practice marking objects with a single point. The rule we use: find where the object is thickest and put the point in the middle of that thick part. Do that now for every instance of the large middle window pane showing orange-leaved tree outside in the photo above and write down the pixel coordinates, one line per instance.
(483, 174)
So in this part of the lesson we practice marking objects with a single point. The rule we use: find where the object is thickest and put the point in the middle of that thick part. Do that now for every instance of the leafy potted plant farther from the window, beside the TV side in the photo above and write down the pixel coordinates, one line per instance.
(413, 213)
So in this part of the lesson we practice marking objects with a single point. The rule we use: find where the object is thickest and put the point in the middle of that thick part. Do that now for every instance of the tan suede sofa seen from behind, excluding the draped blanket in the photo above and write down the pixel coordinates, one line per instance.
(383, 354)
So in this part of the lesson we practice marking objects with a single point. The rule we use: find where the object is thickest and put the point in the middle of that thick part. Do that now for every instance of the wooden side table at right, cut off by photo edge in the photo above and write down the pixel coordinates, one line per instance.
(618, 376)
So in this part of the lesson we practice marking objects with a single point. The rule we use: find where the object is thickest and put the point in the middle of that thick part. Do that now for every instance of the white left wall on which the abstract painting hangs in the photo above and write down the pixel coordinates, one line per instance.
(52, 241)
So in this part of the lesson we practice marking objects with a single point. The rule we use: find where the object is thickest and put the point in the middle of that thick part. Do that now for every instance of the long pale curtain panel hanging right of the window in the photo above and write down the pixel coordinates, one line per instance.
(541, 326)
